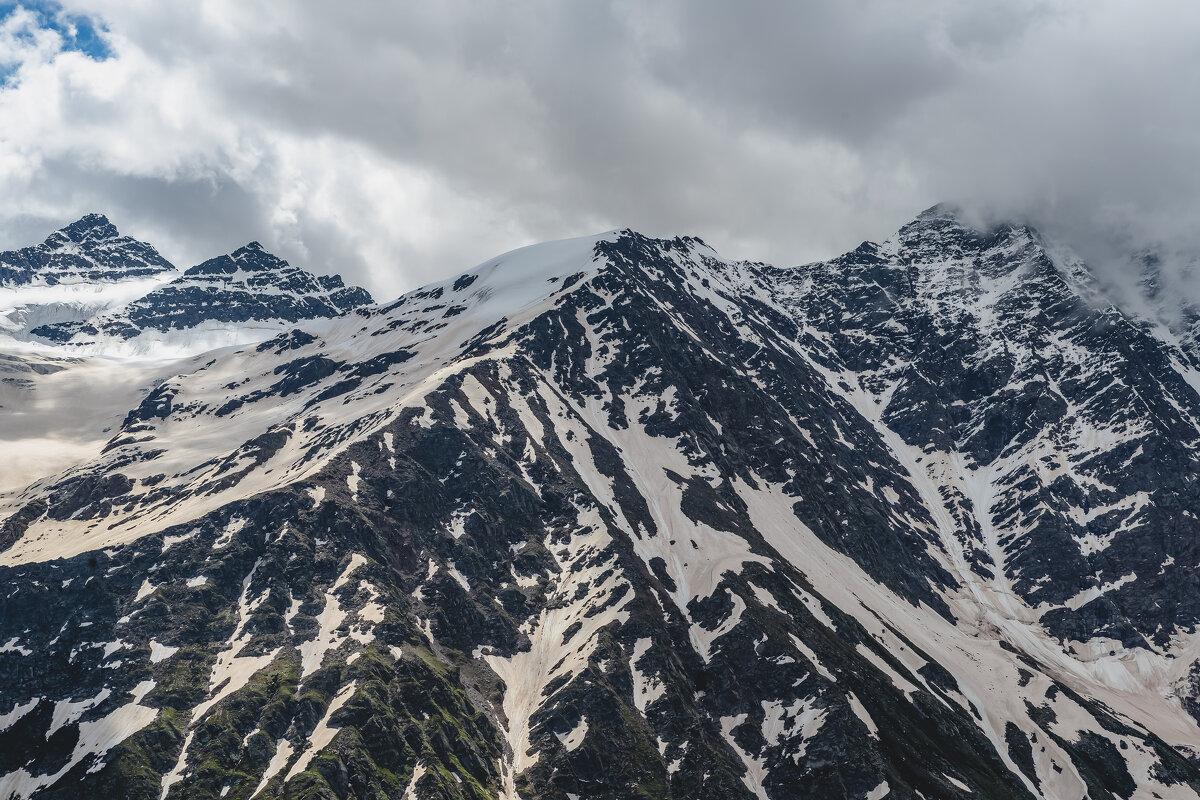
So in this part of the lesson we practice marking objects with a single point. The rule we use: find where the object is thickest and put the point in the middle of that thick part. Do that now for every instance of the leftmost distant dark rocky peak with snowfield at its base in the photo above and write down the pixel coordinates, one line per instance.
(81, 270)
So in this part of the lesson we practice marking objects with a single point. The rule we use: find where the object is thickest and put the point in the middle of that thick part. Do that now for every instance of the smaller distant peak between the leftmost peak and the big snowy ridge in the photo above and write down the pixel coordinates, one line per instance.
(227, 300)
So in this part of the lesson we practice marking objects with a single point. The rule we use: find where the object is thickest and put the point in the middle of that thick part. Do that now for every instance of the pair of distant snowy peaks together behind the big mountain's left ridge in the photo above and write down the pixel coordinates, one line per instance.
(92, 291)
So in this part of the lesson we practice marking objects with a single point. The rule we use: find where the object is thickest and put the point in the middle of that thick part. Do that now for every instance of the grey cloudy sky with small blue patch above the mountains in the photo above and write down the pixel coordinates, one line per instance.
(404, 142)
